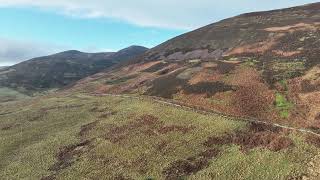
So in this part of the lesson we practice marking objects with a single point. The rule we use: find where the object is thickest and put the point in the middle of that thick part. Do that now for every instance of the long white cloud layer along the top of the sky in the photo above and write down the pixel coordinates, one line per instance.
(182, 14)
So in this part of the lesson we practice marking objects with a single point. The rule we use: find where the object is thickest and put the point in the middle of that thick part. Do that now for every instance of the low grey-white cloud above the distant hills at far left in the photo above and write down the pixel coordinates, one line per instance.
(15, 51)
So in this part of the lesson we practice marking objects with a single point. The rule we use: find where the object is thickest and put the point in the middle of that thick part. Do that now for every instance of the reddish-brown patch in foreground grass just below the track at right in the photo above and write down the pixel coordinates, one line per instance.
(257, 135)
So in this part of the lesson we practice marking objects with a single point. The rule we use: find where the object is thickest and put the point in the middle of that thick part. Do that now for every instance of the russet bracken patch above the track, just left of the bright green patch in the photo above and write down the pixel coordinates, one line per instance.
(252, 96)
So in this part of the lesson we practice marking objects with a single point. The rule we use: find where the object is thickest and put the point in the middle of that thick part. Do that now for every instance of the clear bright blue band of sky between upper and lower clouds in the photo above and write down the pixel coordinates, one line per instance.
(94, 34)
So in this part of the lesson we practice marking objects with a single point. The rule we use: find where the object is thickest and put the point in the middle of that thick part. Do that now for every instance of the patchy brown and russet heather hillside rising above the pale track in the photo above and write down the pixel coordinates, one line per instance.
(262, 65)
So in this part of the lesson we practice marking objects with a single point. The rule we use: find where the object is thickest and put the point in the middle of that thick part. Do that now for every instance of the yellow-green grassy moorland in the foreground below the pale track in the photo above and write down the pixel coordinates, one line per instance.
(85, 137)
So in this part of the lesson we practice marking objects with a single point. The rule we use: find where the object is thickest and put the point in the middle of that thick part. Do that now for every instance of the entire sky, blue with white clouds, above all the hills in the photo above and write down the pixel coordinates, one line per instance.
(32, 28)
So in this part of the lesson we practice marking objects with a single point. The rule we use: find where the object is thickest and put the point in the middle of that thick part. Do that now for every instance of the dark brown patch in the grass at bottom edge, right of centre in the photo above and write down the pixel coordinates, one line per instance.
(183, 168)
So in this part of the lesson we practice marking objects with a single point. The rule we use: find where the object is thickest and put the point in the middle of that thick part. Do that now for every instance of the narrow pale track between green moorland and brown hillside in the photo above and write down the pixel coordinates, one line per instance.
(203, 111)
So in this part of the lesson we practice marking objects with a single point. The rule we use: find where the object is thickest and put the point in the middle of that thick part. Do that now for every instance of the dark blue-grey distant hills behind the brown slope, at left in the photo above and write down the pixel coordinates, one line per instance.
(61, 69)
